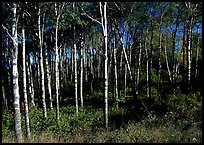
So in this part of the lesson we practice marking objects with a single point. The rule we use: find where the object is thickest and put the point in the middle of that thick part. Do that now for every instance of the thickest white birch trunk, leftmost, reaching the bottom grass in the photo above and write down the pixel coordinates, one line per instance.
(16, 103)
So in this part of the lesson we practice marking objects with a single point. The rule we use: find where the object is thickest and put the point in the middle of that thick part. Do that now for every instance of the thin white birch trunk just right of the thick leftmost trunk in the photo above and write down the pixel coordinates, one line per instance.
(24, 81)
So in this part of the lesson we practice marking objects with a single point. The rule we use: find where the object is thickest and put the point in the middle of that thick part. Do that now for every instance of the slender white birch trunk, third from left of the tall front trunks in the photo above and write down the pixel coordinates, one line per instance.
(41, 66)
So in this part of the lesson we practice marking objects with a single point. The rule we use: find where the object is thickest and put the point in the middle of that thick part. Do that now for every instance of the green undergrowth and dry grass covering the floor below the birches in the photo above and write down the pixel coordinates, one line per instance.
(88, 128)
